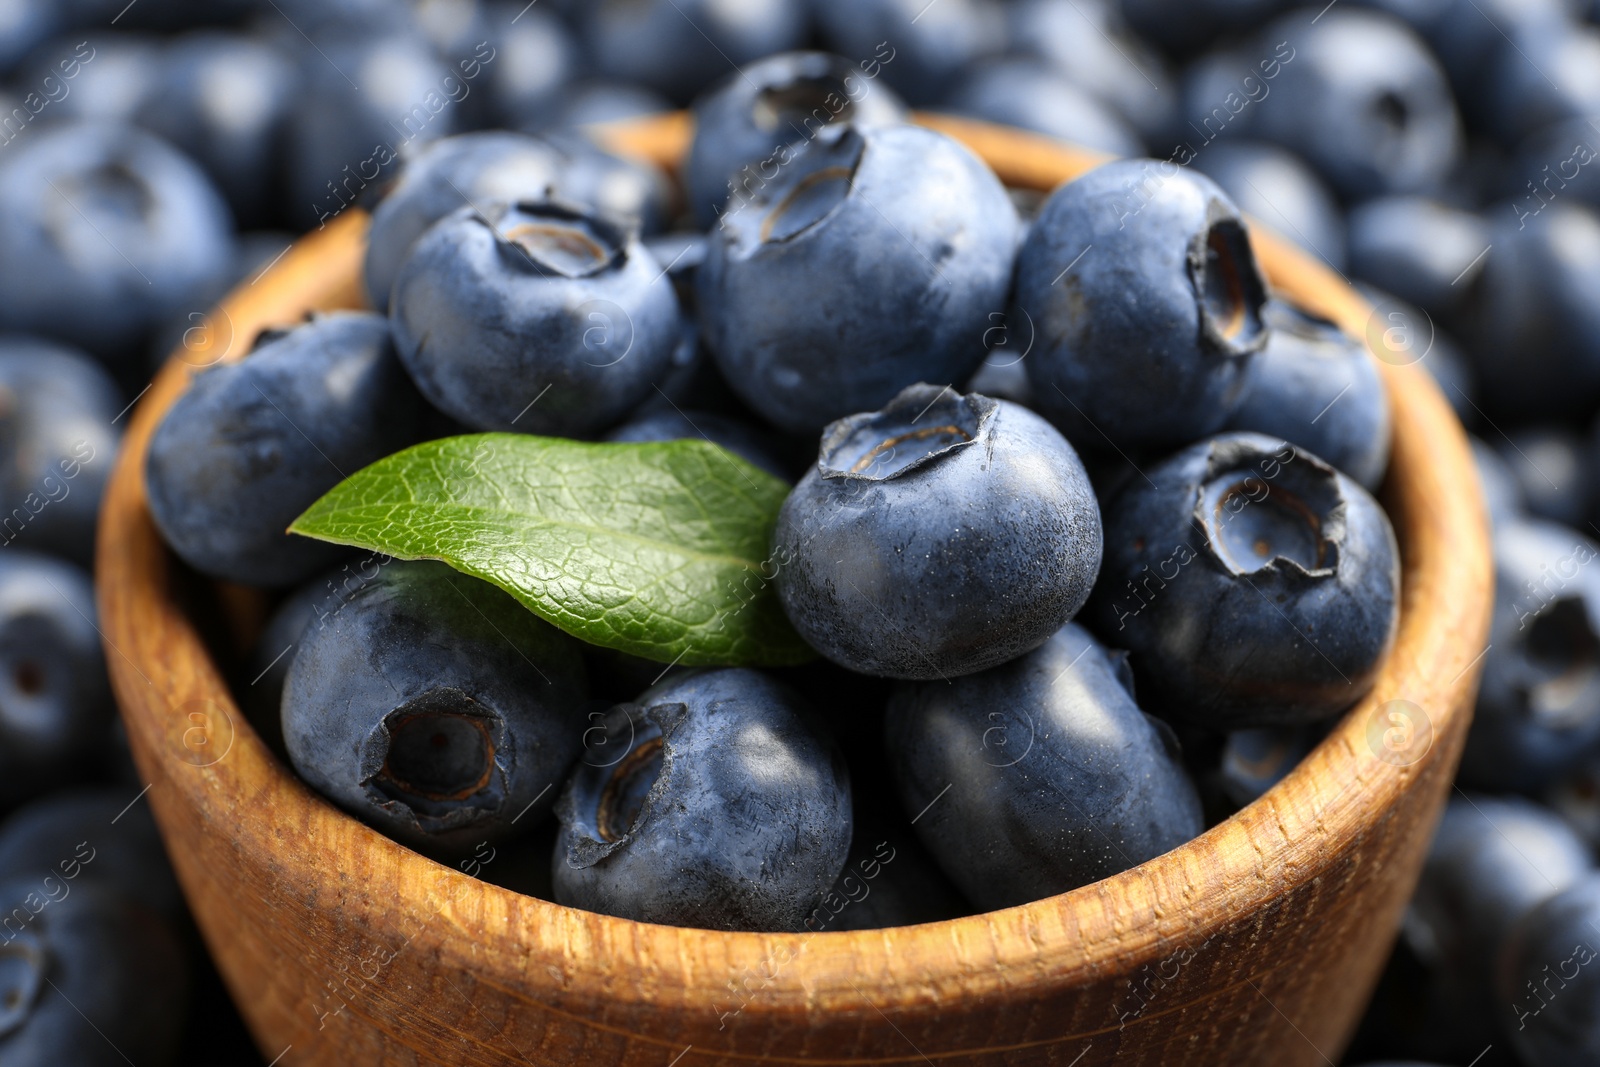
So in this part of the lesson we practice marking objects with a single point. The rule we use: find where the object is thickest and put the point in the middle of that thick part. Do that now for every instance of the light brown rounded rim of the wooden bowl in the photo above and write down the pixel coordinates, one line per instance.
(1286, 839)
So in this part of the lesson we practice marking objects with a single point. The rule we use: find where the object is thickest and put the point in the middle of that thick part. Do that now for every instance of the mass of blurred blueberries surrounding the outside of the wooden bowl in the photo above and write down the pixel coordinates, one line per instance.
(1444, 156)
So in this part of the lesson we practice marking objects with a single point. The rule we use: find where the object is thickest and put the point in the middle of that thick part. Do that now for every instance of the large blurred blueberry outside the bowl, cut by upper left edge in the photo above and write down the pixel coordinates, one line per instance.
(110, 233)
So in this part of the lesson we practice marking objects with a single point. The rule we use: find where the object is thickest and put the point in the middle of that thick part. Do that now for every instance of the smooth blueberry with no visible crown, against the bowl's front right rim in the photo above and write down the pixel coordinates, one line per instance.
(1055, 777)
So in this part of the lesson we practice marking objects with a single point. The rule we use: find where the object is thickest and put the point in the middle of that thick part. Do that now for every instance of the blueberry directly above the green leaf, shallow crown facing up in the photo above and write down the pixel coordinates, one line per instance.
(537, 318)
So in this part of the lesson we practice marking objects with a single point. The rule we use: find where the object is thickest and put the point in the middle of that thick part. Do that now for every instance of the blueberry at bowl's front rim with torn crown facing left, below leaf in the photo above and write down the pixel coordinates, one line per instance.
(716, 801)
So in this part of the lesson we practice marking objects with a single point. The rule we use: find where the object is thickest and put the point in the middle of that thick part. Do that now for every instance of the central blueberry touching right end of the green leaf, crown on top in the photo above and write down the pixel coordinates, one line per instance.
(935, 538)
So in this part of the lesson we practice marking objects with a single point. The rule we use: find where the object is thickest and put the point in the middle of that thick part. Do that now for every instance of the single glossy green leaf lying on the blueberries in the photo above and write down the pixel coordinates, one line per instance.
(652, 549)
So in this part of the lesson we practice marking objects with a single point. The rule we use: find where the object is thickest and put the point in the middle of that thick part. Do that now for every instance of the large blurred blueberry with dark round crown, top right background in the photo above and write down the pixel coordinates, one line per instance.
(1362, 100)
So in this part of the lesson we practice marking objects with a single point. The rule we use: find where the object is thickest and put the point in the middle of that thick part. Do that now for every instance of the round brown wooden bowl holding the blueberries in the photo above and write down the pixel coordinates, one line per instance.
(1257, 943)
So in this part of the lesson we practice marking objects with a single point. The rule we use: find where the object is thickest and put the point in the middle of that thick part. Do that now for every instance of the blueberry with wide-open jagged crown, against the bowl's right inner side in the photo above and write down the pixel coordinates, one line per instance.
(1255, 585)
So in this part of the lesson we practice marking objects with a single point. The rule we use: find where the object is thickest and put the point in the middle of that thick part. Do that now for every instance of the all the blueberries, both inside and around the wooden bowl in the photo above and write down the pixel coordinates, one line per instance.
(1082, 522)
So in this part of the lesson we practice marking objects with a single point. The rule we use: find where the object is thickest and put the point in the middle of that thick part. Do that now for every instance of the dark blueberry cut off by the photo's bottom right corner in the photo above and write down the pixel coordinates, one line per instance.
(1548, 983)
